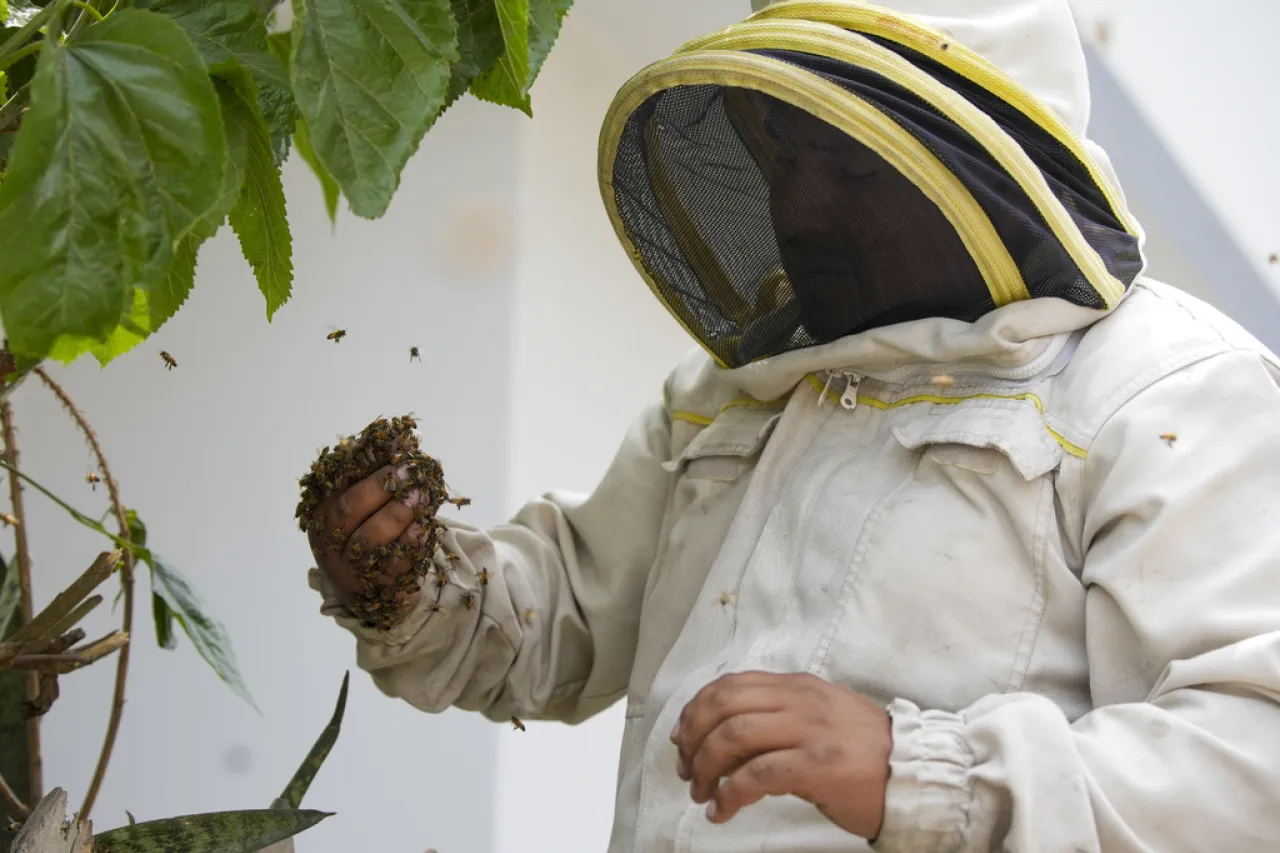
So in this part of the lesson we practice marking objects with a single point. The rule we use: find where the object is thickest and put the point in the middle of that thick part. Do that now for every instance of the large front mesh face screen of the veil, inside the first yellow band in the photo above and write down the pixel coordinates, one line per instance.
(717, 218)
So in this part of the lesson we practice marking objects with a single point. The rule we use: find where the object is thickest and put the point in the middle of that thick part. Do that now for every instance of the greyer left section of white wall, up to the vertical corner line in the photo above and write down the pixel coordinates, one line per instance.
(211, 454)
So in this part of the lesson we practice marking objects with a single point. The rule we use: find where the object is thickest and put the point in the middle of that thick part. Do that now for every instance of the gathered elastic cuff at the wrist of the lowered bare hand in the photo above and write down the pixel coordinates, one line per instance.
(929, 795)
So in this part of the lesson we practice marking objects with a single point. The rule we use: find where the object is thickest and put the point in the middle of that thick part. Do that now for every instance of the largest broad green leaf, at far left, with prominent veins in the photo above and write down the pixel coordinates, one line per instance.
(120, 156)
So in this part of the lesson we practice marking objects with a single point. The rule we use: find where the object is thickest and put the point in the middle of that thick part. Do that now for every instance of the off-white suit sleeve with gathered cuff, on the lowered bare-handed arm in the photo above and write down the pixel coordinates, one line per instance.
(1182, 751)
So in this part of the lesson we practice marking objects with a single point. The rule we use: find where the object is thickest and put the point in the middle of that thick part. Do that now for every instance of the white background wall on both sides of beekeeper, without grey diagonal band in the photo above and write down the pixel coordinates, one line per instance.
(540, 344)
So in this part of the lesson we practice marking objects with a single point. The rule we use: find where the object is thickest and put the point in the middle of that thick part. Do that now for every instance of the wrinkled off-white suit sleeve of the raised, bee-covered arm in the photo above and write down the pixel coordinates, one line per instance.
(541, 615)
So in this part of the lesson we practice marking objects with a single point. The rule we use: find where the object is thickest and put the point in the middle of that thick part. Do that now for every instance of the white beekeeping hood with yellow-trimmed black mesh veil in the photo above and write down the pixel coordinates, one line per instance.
(812, 185)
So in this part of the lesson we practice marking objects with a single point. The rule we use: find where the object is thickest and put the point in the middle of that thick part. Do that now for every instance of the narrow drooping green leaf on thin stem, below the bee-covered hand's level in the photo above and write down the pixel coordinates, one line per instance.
(190, 610)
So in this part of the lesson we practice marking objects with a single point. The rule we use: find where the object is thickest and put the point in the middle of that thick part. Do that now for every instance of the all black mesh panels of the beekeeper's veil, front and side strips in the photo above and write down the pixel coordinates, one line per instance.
(767, 230)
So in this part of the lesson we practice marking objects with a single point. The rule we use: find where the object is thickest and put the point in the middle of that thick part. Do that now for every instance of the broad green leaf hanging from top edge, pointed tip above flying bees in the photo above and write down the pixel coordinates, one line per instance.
(371, 76)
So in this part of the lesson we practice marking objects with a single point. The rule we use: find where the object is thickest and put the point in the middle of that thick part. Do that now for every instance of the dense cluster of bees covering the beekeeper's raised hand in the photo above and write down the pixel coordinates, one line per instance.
(414, 475)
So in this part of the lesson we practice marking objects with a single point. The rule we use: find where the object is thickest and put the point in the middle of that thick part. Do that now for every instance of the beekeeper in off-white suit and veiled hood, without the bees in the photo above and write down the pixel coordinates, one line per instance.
(957, 533)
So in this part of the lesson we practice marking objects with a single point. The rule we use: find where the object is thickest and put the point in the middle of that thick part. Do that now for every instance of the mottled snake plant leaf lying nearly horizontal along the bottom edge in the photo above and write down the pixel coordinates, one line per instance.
(214, 833)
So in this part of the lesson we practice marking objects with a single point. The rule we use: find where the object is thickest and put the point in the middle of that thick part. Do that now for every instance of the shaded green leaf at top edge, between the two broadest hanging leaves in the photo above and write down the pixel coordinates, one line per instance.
(234, 33)
